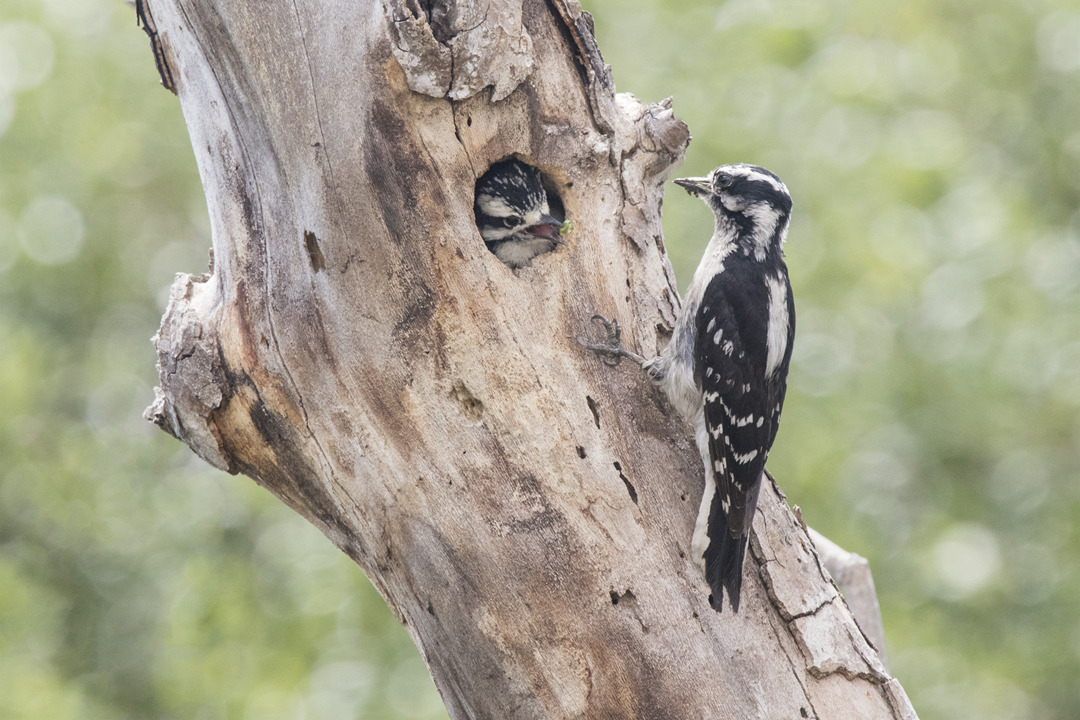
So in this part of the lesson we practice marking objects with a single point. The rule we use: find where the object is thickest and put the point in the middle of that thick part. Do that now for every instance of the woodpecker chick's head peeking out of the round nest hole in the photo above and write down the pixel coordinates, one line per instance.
(512, 214)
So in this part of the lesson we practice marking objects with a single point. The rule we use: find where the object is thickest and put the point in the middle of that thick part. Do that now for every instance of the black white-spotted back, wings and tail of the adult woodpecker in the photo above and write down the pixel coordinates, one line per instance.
(741, 410)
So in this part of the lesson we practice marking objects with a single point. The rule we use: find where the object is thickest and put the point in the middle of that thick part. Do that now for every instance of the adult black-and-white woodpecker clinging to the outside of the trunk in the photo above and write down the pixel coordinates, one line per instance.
(726, 366)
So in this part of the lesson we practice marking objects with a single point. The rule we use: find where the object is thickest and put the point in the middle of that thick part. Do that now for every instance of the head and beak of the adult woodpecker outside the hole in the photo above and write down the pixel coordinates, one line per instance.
(751, 205)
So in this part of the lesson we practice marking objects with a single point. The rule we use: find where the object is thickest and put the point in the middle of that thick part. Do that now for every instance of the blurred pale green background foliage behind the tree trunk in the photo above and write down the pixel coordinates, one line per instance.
(934, 152)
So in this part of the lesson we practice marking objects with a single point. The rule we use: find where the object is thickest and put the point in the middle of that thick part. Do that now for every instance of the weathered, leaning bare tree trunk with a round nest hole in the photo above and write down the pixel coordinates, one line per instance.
(524, 509)
